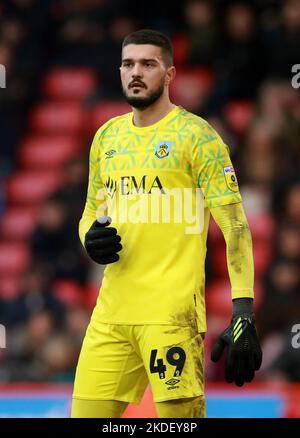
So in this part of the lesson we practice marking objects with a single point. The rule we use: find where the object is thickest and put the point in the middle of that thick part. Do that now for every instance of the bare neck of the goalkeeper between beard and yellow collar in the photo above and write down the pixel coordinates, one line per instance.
(152, 114)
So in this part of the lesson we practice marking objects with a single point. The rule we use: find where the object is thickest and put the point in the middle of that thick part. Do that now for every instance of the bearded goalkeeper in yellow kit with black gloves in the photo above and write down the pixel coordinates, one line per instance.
(149, 322)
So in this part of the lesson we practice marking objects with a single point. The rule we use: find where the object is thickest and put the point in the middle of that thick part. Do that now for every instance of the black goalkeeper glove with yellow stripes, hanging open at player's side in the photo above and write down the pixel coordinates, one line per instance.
(244, 355)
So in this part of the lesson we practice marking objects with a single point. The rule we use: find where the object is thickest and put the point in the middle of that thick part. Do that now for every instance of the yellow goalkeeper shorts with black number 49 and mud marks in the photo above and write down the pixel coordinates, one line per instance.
(118, 361)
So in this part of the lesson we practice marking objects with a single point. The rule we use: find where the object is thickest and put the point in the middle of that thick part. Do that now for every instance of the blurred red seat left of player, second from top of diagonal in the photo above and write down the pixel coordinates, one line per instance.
(58, 118)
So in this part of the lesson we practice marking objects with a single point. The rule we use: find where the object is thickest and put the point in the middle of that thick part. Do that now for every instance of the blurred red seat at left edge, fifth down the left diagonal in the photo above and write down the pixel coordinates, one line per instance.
(18, 223)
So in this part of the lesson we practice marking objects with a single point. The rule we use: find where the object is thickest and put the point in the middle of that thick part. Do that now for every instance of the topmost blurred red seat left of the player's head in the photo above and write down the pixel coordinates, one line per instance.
(69, 83)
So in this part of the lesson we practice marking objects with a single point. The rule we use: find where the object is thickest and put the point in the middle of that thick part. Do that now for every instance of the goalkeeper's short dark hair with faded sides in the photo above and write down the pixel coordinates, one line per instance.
(149, 36)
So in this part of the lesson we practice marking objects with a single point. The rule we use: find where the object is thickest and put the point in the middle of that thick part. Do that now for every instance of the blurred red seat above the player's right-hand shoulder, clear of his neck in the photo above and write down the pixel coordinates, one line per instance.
(238, 115)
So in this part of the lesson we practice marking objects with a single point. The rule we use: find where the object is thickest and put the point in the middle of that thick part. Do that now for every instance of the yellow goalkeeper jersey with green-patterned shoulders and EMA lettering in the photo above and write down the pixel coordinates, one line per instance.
(157, 183)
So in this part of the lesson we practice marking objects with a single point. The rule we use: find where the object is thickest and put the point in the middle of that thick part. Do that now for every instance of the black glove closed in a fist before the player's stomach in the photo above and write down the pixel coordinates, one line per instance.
(102, 242)
